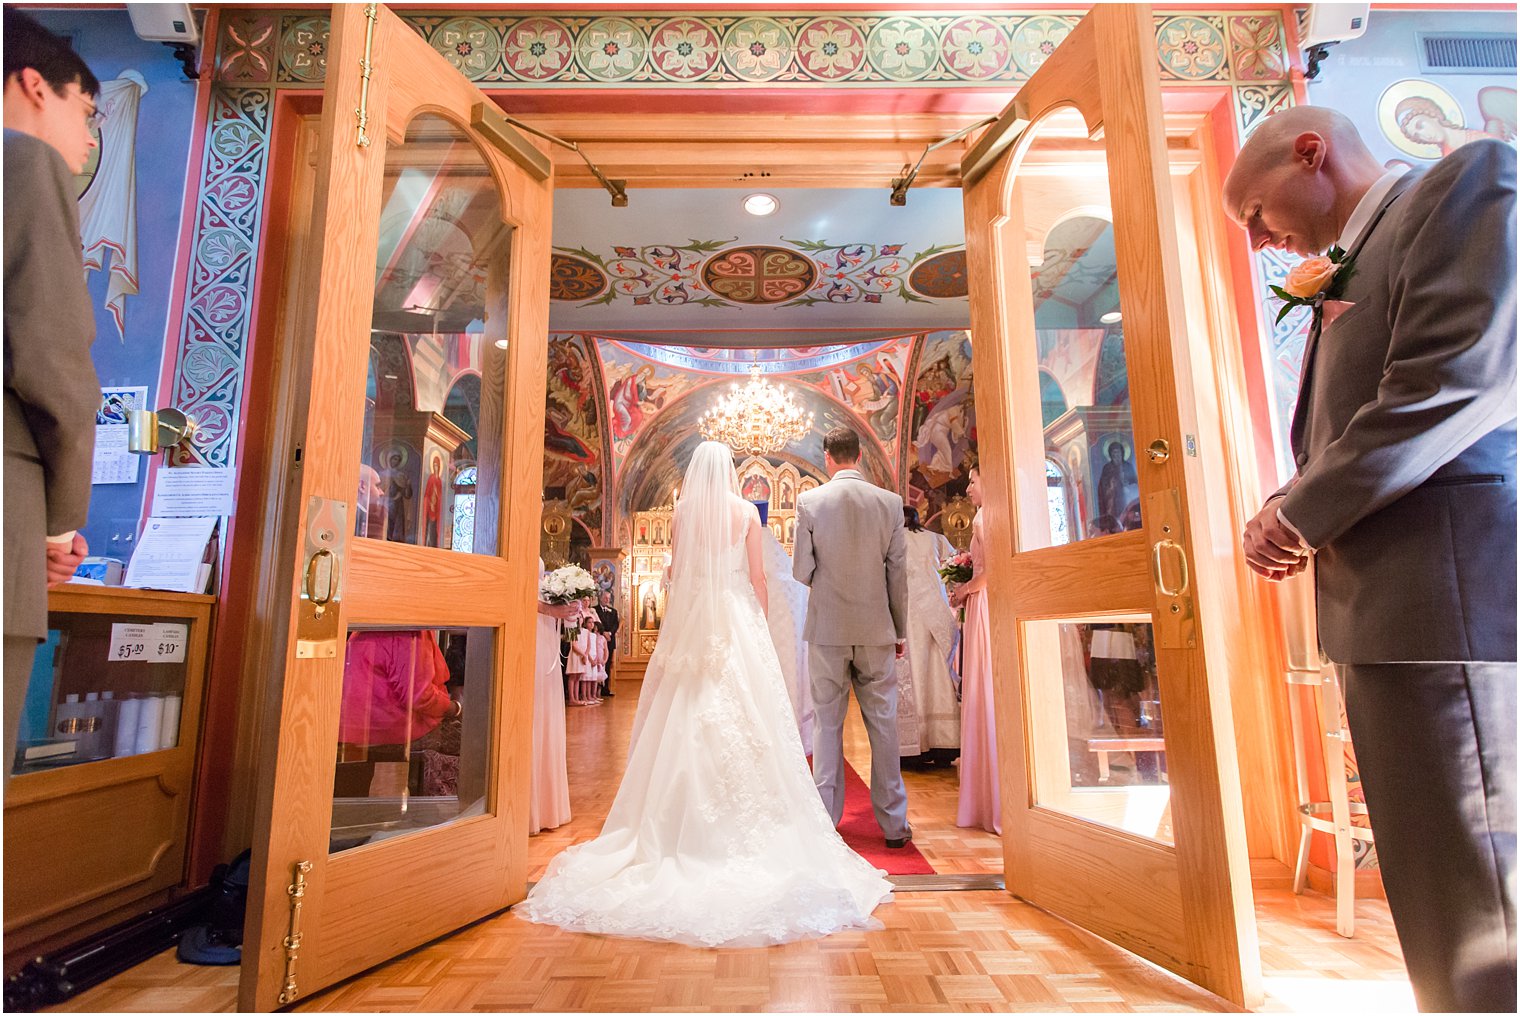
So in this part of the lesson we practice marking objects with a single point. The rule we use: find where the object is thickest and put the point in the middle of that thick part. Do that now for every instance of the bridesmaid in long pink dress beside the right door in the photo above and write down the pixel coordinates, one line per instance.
(980, 802)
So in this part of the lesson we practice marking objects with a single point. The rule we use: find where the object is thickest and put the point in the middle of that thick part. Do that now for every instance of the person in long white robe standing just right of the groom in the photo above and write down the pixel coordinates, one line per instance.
(931, 640)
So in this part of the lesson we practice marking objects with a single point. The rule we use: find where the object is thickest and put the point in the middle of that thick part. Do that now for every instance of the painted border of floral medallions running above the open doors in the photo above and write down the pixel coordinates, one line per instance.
(834, 49)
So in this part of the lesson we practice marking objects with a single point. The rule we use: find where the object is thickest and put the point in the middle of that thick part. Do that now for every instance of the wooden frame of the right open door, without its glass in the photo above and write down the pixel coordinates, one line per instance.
(1211, 938)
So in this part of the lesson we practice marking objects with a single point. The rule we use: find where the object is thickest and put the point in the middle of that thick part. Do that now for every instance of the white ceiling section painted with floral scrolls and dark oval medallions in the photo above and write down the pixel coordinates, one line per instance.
(694, 261)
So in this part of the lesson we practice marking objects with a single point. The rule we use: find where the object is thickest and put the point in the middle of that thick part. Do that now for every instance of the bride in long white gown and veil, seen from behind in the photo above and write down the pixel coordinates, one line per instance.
(718, 836)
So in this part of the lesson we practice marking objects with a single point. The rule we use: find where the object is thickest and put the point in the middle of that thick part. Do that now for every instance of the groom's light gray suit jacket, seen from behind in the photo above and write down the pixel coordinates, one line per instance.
(850, 550)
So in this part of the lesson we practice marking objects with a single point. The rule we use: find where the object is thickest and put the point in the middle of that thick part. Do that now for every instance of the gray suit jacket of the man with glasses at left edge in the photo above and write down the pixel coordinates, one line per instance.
(51, 387)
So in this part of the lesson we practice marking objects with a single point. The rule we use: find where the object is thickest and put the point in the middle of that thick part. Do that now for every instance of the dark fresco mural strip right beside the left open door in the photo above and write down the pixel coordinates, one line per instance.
(574, 448)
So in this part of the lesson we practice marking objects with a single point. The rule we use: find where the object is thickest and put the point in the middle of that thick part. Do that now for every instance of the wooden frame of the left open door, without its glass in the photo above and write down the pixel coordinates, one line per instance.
(329, 303)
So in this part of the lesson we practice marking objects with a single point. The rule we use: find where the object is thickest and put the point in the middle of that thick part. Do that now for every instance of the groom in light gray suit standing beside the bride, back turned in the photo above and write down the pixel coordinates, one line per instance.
(850, 550)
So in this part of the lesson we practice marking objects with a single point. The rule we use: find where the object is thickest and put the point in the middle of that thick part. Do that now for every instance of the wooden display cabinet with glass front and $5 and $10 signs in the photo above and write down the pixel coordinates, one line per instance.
(98, 834)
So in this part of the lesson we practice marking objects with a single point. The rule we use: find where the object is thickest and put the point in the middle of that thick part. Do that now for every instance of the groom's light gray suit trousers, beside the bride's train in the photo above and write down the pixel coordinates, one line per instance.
(872, 672)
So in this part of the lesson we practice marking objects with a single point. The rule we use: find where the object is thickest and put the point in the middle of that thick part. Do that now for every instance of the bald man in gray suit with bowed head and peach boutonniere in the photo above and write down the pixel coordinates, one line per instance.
(1405, 500)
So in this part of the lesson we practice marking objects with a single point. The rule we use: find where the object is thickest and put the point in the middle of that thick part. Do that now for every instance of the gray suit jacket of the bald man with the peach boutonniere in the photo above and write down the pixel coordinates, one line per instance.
(1405, 431)
